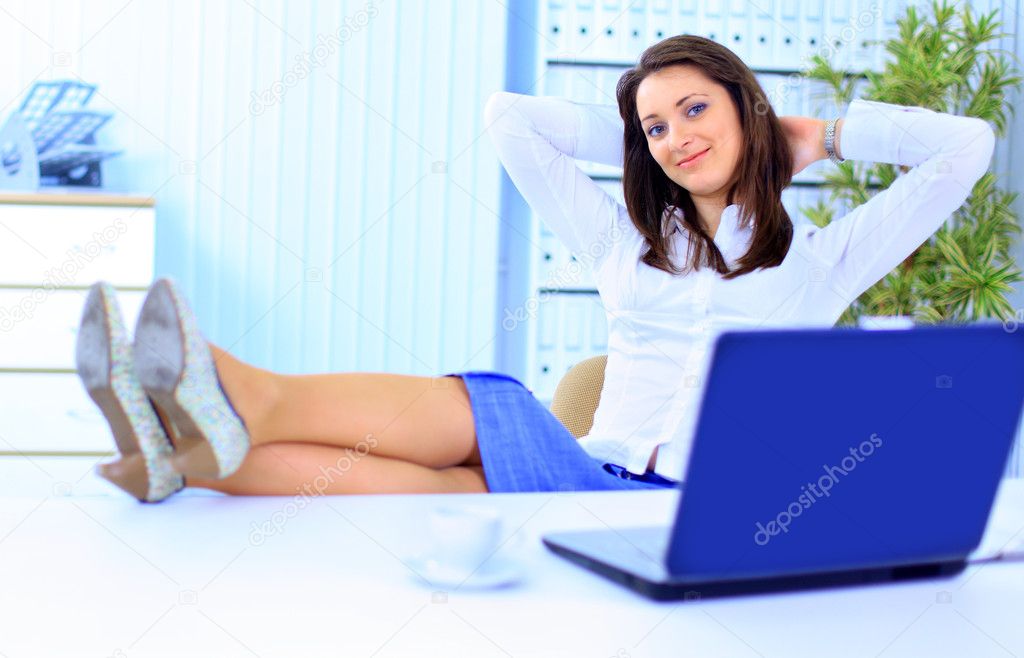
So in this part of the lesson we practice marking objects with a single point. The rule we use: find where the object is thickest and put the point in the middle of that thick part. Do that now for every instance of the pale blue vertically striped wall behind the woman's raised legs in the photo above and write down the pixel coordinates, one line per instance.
(326, 195)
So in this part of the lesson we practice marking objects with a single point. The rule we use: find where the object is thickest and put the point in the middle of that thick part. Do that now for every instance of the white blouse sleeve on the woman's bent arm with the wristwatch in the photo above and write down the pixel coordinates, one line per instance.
(949, 154)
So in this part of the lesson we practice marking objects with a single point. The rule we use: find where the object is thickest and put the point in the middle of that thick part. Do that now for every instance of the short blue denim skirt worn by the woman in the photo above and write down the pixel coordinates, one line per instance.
(524, 448)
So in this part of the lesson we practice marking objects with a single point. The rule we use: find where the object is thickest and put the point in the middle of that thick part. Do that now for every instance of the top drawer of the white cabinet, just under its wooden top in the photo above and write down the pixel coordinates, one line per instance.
(76, 246)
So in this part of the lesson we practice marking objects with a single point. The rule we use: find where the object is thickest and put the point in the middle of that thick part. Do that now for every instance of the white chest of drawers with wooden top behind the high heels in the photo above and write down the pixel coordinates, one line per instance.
(53, 248)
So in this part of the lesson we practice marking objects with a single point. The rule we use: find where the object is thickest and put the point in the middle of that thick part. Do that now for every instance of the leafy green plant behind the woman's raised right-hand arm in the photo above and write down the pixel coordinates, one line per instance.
(965, 272)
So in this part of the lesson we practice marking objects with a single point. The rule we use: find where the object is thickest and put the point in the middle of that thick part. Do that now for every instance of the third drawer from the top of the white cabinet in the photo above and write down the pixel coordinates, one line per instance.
(50, 413)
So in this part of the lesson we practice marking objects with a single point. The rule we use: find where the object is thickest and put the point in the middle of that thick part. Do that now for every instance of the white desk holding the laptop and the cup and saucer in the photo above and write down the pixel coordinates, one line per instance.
(99, 575)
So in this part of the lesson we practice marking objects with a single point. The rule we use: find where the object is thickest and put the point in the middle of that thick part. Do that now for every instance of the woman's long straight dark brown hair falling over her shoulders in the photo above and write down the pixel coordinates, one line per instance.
(765, 166)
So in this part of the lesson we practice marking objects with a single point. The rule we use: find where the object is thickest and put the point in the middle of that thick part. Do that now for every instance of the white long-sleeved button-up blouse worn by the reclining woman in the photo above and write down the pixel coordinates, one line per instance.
(661, 327)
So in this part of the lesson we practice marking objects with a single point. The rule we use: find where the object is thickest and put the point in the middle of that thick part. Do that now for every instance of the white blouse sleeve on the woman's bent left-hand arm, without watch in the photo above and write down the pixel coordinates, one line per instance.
(538, 140)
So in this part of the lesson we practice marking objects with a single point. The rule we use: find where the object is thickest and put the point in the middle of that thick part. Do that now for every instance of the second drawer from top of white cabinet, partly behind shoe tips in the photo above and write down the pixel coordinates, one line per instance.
(38, 328)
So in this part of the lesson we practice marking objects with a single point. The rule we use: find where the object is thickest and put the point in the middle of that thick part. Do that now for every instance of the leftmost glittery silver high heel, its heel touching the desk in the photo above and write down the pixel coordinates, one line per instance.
(104, 362)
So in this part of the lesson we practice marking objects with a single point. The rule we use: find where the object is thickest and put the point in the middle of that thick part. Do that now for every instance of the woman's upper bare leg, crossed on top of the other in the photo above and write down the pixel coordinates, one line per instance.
(420, 420)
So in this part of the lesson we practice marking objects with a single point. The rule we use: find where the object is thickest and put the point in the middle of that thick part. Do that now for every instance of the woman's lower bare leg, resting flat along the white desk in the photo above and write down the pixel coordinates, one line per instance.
(289, 469)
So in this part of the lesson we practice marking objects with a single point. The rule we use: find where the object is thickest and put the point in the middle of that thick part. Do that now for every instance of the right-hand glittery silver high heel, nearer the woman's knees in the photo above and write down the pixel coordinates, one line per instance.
(177, 370)
